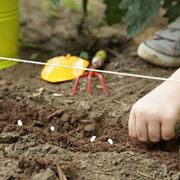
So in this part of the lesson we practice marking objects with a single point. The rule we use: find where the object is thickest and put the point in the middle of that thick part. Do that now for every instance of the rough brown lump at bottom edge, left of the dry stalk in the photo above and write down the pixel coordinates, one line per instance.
(48, 174)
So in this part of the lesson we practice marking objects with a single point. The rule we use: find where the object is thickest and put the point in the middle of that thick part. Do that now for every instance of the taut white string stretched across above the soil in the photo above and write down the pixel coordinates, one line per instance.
(89, 69)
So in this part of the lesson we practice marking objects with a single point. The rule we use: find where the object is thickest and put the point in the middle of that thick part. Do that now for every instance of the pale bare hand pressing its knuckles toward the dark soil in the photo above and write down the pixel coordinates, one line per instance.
(153, 117)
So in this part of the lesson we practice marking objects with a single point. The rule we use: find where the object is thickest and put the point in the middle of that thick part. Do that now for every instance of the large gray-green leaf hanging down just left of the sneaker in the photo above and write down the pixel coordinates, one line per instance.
(139, 14)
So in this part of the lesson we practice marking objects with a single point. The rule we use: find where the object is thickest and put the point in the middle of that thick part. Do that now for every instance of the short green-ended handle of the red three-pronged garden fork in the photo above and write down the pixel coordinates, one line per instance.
(99, 58)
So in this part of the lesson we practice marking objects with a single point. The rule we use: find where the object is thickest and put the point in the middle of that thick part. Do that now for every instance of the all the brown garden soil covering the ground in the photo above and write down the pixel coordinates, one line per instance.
(32, 151)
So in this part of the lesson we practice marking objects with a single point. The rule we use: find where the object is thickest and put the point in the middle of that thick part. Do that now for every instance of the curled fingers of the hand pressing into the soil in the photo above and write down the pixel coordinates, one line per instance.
(148, 126)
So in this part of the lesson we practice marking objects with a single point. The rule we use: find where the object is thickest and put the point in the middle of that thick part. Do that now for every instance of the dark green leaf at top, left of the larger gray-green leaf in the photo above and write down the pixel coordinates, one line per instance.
(113, 12)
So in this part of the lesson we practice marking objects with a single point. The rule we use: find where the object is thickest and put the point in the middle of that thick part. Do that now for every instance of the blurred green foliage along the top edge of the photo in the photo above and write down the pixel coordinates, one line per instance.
(135, 14)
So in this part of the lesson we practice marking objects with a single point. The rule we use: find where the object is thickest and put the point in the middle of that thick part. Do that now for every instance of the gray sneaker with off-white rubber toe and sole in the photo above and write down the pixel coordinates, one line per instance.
(164, 49)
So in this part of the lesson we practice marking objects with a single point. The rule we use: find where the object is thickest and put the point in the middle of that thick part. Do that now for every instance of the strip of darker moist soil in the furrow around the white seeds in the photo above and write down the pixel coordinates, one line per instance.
(73, 130)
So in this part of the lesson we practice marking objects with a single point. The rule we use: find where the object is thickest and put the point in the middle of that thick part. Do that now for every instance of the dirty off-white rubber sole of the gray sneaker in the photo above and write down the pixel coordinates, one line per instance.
(157, 58)
